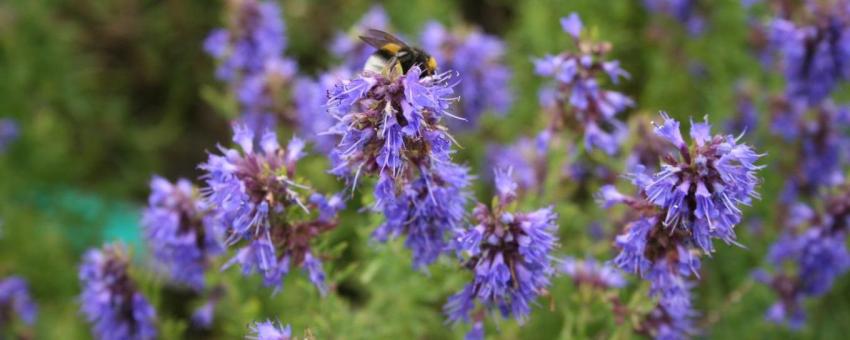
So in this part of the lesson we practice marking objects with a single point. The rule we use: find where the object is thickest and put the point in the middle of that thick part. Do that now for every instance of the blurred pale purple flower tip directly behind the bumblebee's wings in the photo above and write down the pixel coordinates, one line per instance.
(350, 48)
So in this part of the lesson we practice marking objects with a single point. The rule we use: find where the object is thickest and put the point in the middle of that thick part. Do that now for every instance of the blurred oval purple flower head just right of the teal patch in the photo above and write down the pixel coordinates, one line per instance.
(180, 230)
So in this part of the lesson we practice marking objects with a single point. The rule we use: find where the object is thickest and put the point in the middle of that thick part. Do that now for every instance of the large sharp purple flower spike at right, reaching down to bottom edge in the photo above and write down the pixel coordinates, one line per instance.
(693, 199)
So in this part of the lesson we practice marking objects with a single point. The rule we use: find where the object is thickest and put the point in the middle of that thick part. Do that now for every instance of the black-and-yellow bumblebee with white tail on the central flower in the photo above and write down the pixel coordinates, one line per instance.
(392, 51)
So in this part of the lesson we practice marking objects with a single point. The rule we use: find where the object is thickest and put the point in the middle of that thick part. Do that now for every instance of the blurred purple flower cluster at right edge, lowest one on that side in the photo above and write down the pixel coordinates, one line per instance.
(816, 247)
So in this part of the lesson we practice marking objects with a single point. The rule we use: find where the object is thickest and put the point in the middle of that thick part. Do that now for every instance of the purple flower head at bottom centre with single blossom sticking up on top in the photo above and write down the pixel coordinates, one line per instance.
(509, 253)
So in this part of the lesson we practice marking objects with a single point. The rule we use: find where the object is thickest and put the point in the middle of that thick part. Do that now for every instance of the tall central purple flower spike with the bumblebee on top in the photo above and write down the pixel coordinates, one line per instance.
(390, 127)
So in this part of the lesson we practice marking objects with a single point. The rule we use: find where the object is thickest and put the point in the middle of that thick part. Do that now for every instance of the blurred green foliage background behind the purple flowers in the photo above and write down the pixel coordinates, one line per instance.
(108, 93)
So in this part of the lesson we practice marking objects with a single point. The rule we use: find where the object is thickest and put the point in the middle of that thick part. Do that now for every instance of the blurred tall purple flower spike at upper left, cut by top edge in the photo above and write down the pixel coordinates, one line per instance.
(250, 56)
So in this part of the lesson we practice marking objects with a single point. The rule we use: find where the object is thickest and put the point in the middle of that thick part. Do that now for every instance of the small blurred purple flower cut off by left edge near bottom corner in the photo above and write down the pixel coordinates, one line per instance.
(15, 298)
